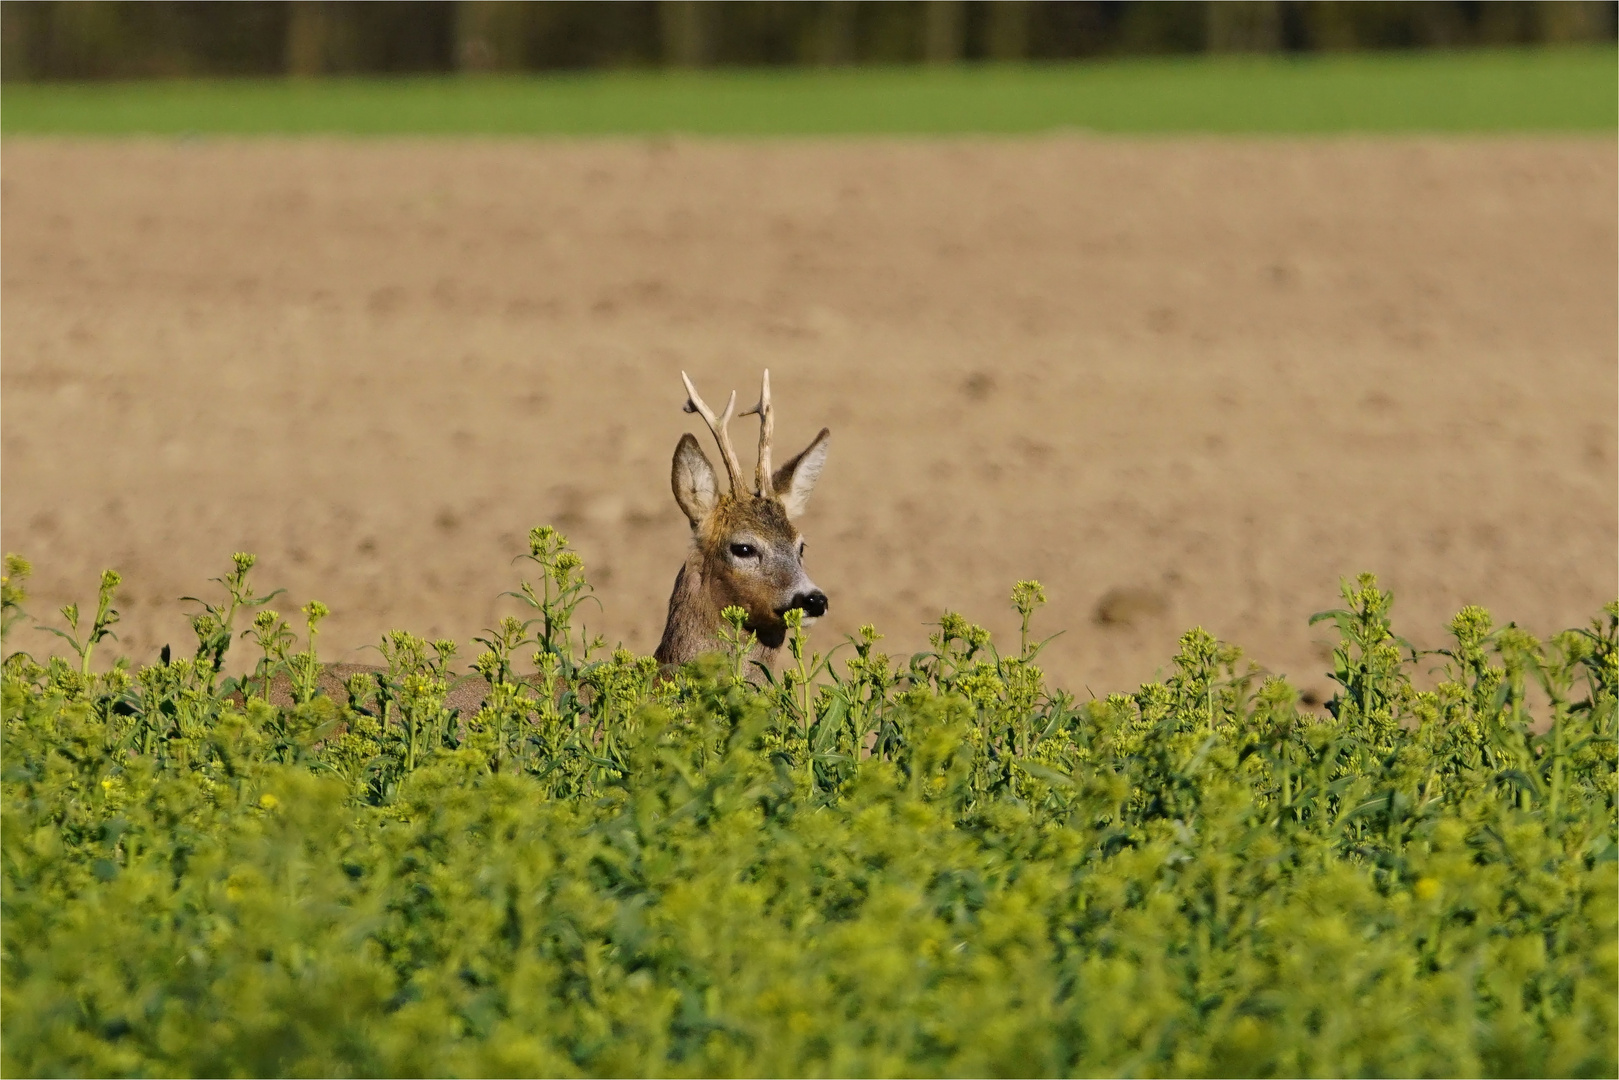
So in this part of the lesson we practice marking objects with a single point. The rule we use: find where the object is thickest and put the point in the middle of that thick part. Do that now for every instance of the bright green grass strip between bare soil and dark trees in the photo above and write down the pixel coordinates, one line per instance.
(1545, 90)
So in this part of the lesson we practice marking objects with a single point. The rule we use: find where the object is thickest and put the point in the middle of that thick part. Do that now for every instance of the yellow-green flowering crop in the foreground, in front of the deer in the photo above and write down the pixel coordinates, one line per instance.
(860, 865)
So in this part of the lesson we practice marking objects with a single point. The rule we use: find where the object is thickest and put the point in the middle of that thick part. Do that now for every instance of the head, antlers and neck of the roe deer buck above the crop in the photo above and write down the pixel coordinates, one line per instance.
(746, 551)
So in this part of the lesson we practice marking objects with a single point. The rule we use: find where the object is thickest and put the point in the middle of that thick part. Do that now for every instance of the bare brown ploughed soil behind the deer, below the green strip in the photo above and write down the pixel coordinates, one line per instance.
(1178, 381)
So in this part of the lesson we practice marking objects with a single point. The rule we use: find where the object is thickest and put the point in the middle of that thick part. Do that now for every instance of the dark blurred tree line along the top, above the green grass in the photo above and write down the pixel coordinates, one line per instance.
(56, 40)
